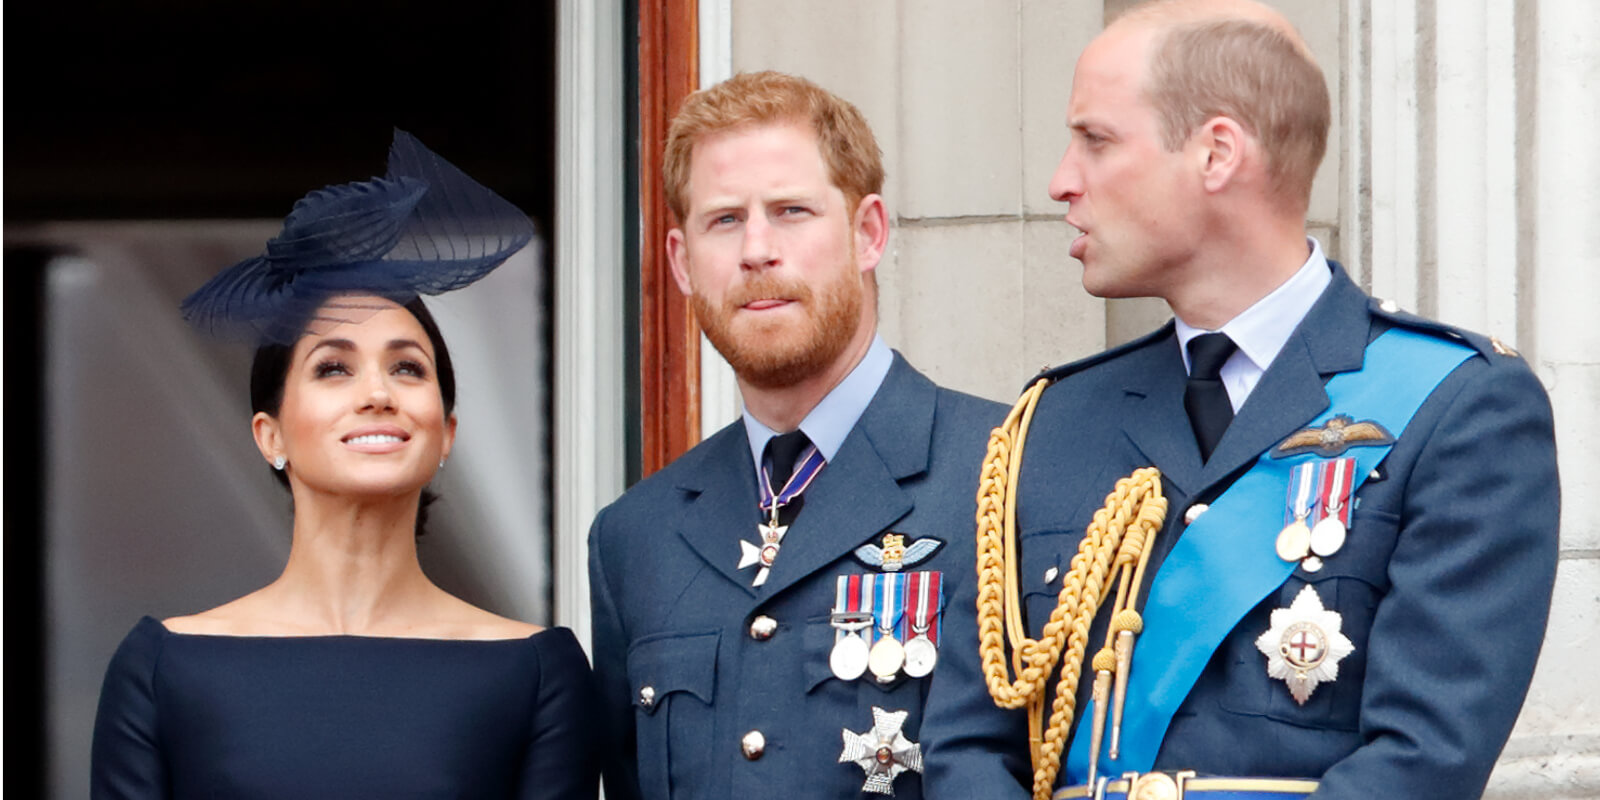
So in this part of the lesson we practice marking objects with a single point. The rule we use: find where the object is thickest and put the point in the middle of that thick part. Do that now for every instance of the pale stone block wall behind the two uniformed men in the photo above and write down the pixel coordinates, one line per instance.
(1462, 182)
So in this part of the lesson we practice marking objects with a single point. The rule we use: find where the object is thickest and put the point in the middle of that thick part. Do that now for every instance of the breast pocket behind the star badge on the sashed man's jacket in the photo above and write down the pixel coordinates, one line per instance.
(1351, 583)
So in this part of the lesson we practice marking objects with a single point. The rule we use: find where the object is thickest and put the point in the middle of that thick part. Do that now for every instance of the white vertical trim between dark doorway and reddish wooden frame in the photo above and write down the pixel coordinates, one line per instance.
(590, 423)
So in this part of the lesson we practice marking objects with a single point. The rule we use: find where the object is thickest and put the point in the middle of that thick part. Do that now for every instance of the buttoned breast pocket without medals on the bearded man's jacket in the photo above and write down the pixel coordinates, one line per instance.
(674, 681)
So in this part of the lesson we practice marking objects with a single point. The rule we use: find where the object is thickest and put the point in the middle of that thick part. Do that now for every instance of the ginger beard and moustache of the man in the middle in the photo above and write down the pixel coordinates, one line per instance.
(780, 351)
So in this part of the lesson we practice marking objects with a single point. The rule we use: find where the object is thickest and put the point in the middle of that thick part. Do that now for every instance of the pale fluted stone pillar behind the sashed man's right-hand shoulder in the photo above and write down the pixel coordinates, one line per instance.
(1471, 198)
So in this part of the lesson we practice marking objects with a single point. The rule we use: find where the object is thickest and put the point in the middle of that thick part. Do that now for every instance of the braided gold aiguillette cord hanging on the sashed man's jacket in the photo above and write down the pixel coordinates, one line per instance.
(1118, 540)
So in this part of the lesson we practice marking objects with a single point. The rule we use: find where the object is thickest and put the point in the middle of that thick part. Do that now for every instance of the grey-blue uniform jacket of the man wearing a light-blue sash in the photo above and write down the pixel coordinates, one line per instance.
(1444, 585)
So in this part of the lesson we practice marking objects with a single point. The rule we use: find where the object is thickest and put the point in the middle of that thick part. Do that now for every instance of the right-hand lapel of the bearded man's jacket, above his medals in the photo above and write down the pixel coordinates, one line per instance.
(858, 495)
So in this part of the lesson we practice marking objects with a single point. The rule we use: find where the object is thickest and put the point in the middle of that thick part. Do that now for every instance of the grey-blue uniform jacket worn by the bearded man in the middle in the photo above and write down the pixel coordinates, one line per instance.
(673, 612)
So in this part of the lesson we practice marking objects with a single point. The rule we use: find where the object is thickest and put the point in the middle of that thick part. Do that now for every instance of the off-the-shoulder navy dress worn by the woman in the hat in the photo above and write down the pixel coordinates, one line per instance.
(345, 718)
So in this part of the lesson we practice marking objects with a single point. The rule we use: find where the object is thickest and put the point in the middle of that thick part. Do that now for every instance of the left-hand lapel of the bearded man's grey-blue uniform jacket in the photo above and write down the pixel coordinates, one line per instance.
(722, 506)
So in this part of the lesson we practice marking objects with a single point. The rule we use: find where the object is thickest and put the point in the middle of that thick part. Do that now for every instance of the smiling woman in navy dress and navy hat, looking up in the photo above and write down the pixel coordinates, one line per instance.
(353, 676)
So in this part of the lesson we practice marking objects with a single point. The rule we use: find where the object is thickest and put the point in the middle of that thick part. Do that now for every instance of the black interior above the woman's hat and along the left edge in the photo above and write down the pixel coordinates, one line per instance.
(190, 110)
